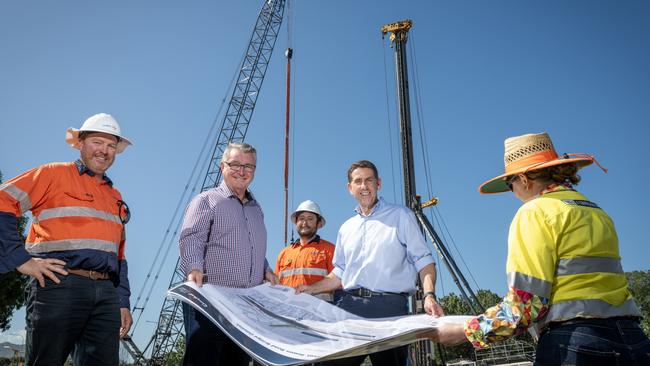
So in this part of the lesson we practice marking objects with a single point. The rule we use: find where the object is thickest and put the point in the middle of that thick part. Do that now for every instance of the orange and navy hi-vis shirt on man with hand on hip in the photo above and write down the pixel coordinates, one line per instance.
(75, 218)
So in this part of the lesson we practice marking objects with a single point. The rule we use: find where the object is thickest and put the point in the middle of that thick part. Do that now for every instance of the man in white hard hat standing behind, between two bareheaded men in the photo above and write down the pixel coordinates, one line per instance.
(308, 259)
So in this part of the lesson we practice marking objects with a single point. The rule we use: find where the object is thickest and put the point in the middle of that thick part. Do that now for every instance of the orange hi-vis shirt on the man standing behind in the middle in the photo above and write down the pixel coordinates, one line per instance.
(305, 264)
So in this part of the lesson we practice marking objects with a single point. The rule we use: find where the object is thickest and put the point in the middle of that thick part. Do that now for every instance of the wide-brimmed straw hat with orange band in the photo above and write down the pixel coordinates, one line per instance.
(530, 152)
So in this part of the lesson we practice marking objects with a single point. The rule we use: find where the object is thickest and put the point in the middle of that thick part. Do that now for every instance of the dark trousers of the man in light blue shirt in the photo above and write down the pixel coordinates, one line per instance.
(374, 307)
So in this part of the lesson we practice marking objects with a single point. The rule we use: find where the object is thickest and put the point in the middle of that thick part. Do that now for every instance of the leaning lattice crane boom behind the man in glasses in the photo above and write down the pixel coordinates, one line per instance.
(233, 129)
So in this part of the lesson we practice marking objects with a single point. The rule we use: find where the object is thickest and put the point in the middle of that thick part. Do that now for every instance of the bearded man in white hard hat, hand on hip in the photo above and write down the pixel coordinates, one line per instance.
(78, 296)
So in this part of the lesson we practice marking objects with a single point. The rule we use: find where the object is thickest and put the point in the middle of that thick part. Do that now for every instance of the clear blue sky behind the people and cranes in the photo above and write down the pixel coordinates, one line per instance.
(483, 70)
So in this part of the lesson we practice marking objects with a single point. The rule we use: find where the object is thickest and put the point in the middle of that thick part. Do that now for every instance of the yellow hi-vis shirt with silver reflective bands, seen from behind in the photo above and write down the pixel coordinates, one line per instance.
(563, 247)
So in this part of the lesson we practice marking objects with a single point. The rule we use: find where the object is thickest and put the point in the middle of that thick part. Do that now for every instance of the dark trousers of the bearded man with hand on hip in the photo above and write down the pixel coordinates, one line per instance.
(79, 316)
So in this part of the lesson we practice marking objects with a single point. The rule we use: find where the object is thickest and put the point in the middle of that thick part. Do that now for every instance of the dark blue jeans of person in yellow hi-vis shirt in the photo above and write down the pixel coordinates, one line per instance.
(595, 342)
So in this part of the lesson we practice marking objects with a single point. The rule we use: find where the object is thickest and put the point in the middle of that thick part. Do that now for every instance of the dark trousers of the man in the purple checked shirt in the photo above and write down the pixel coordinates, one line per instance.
(206, 344)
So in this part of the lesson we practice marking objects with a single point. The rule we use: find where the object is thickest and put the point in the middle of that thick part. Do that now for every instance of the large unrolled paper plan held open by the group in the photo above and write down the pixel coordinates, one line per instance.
(277, 327)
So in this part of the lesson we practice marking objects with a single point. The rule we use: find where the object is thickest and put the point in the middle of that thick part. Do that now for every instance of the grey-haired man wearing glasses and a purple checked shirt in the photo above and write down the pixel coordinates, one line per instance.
(223, 242)
